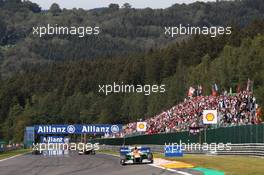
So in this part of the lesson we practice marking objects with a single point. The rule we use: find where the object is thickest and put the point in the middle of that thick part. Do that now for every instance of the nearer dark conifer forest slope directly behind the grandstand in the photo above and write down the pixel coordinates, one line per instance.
(67, 92)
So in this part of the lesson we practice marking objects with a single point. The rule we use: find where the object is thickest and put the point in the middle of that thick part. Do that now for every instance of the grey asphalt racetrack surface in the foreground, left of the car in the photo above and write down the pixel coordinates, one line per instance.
(73, 164)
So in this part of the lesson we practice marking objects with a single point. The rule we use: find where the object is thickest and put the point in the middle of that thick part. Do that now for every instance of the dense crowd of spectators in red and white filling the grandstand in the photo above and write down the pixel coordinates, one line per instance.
(233, 109)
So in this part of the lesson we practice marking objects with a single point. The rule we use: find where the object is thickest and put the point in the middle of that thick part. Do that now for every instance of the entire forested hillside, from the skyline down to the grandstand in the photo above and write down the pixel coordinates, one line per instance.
(54, 80)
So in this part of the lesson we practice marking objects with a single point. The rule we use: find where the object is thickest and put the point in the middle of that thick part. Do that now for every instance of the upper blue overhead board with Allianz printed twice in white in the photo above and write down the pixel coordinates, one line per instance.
(78, 129)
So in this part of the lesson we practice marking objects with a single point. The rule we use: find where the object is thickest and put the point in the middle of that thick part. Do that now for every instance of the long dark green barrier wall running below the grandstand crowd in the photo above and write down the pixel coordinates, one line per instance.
(234, 135)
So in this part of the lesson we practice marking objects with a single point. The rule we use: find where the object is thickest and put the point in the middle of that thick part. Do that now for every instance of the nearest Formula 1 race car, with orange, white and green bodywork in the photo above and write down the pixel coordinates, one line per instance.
(135, 155)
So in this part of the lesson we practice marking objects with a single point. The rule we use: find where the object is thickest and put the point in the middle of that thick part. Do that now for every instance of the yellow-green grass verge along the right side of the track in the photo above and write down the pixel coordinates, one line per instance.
(231, 165)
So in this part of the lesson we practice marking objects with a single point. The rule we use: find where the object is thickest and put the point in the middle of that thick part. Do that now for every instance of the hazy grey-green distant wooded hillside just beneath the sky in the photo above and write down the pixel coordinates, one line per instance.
(124, 31)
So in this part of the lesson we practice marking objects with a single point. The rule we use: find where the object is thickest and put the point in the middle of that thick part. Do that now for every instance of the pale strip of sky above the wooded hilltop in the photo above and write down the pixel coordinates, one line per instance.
(90, 4)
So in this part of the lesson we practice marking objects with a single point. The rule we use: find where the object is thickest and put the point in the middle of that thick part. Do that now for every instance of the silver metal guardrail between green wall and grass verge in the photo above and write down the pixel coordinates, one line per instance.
(249, 149)
